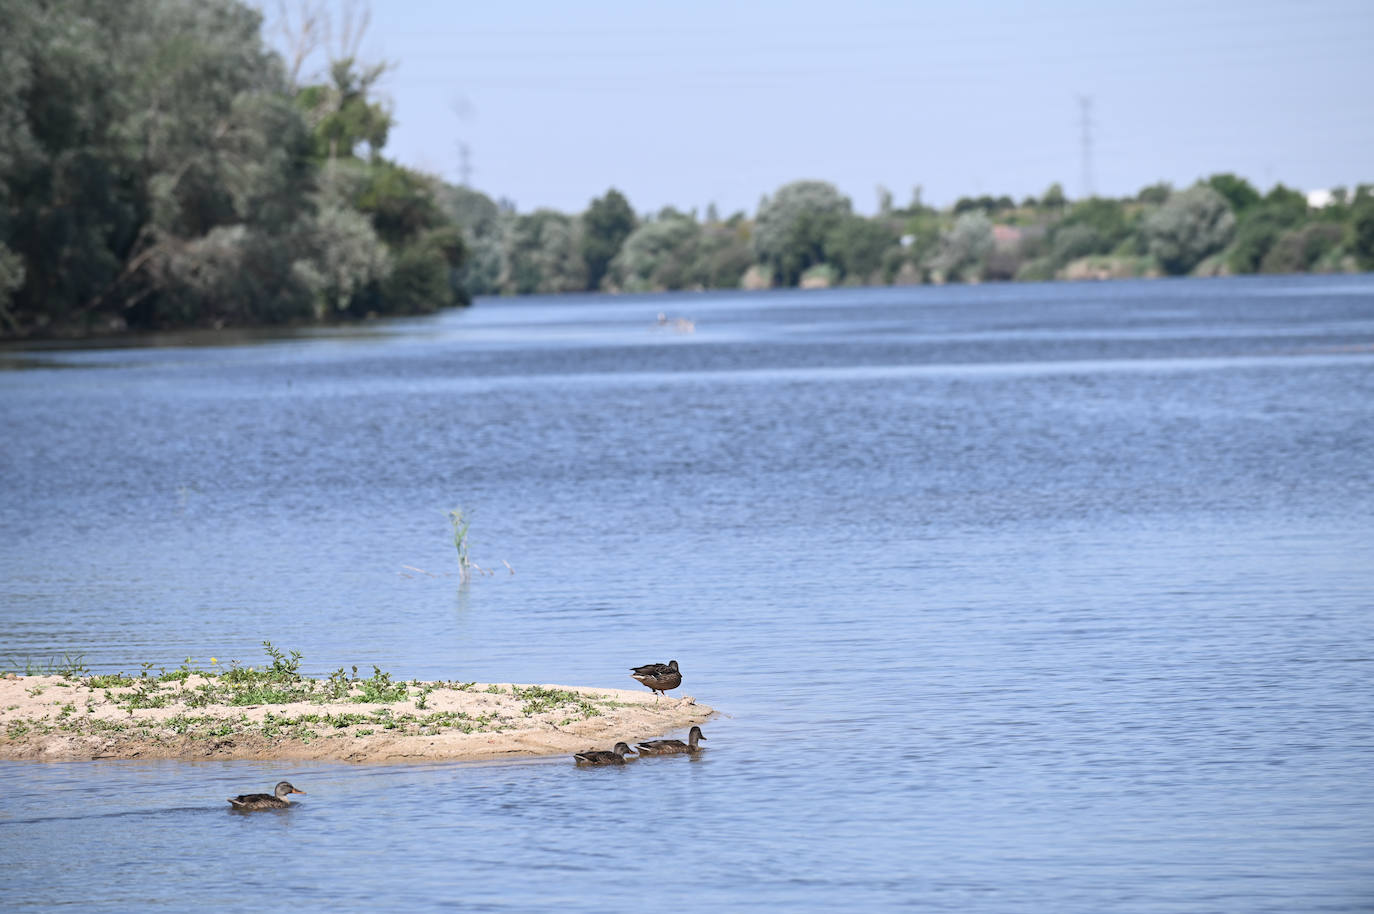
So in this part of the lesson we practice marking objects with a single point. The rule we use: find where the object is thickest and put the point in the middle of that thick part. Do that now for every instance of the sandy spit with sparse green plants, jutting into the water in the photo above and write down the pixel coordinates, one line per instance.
(57, 720)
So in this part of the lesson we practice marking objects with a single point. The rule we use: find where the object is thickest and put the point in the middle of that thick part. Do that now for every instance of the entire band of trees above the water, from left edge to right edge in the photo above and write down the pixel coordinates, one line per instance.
(163, 167)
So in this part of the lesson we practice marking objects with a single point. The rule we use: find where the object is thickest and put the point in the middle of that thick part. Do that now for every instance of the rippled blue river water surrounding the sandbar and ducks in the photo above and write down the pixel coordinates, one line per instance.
(1026, 597)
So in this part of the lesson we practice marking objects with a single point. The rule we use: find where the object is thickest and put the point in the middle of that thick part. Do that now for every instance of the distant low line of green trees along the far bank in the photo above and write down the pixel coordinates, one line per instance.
(807, 234)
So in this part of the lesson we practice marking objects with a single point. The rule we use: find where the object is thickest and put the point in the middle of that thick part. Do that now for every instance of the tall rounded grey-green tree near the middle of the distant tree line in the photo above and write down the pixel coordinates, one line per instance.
(793, 225)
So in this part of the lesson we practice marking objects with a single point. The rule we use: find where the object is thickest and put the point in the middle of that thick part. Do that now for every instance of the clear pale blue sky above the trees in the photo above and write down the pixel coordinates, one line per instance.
(715, 102)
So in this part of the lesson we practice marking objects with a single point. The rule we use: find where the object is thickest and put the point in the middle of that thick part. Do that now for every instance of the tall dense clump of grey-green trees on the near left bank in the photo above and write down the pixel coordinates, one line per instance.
(159, 170)
